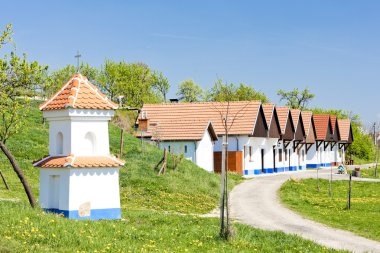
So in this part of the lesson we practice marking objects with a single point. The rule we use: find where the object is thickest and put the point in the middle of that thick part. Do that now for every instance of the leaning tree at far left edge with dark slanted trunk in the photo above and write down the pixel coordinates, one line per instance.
(17, 78)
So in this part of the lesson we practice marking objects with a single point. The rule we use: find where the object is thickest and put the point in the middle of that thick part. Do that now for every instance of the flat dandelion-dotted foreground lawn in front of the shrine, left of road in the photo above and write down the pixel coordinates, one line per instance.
(23, 230)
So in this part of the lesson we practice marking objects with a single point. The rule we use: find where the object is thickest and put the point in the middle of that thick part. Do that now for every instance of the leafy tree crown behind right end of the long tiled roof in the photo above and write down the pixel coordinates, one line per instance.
(229, 92)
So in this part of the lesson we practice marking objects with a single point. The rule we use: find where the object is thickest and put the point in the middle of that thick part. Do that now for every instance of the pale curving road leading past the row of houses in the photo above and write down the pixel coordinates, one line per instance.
(255, 202)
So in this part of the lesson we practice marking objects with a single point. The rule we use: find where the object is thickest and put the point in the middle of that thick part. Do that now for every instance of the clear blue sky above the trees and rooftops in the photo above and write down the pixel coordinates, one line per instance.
(331, 47)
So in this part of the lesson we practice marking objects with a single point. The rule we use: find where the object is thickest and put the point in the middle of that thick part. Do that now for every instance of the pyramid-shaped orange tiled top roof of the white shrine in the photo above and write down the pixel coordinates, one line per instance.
(78, 93)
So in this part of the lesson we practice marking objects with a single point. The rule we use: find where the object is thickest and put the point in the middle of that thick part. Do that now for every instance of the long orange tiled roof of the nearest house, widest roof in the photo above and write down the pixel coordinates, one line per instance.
(244, 112)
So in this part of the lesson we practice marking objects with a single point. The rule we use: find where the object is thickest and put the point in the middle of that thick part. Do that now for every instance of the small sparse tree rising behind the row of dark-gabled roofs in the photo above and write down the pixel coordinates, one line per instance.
(296, 99)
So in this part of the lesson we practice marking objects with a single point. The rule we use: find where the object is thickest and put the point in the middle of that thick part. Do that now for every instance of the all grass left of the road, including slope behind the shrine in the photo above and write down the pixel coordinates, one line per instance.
(147, 201)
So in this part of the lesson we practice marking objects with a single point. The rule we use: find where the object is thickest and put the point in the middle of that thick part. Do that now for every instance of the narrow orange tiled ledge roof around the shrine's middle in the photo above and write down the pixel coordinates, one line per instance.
(79, 162)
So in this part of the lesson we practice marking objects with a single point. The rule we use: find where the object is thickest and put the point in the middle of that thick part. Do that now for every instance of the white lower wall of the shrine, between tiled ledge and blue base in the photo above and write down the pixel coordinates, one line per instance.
(98, 186)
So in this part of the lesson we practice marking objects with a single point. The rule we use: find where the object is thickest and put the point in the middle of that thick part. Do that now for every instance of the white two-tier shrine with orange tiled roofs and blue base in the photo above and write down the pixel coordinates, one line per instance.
(79, 178)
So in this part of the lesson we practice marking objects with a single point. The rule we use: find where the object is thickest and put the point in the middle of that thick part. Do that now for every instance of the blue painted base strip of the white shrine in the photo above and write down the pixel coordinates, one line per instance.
(96, 214)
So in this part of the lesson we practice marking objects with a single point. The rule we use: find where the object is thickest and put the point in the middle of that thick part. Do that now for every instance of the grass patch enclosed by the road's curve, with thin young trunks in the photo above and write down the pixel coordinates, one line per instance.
(363, 218)
